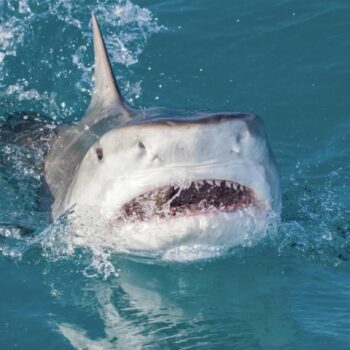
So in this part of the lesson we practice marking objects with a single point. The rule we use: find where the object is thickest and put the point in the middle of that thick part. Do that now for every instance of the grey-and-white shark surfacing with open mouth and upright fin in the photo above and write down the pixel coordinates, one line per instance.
(163, 178)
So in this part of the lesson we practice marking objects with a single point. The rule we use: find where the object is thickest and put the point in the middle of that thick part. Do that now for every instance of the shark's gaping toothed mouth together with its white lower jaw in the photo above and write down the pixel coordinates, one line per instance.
(188, 220)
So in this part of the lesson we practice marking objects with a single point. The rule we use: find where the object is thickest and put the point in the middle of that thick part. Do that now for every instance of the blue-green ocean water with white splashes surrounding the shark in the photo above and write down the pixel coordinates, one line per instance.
(286, 60)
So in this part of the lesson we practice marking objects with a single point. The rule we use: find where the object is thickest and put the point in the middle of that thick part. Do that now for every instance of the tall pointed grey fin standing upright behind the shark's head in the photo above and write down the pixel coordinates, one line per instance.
(106, 97)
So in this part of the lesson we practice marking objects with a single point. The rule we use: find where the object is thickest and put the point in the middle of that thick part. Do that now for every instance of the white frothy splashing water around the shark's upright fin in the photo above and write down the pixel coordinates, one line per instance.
(127, 27)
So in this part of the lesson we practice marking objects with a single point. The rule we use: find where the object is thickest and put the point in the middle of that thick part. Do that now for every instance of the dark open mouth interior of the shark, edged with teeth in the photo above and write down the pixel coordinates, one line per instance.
(198, 197)
